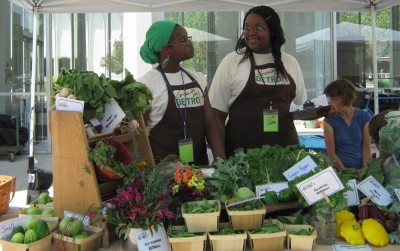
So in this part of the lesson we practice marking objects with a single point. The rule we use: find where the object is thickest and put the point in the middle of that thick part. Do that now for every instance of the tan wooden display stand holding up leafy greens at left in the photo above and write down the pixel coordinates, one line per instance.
(72, 170)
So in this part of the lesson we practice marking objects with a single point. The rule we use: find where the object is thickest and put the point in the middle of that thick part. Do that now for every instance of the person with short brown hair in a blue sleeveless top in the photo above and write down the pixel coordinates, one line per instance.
(347, 140)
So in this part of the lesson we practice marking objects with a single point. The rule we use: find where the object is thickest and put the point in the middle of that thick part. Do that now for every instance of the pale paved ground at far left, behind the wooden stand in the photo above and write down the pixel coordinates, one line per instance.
(19, 168)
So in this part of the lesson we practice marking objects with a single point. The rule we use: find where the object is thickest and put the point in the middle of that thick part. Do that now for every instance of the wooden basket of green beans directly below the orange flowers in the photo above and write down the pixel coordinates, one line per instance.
(204, 222)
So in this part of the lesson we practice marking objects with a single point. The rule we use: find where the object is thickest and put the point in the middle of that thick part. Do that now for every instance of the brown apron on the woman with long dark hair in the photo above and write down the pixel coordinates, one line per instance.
(245, 125)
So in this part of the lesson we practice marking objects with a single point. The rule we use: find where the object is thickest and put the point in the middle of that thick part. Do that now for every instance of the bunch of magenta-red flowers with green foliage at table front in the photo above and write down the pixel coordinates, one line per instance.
(141, 203)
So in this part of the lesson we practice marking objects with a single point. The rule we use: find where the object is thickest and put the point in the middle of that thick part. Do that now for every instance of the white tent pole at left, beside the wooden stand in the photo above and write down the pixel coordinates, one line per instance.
(33, 83)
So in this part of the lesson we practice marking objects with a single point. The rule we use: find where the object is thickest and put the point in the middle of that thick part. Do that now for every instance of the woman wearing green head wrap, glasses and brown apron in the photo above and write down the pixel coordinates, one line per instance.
(180, 120)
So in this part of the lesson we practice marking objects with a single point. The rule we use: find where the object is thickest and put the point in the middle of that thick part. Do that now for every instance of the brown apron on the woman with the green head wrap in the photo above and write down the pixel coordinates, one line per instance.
(164, 136)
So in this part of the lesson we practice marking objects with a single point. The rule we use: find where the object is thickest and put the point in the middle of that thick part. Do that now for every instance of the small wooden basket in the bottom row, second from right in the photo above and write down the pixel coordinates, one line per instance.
(274, 241)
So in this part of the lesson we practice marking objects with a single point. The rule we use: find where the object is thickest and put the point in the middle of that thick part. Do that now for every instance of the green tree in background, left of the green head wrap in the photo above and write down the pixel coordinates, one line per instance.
(117, 58)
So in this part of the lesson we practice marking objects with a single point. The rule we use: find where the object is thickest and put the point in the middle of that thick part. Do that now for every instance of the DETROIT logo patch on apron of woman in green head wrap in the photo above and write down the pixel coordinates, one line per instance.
(194, 98)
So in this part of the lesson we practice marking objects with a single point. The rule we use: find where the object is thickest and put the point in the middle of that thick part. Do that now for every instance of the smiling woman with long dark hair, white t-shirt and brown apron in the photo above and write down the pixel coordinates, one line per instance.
(255, 86)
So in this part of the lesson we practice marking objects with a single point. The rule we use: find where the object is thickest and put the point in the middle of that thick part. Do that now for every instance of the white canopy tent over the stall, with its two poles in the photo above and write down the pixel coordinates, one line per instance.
(107, 6)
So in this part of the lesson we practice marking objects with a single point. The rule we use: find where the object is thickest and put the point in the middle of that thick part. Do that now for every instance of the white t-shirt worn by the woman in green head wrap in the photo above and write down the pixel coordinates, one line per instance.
(155, 82)
